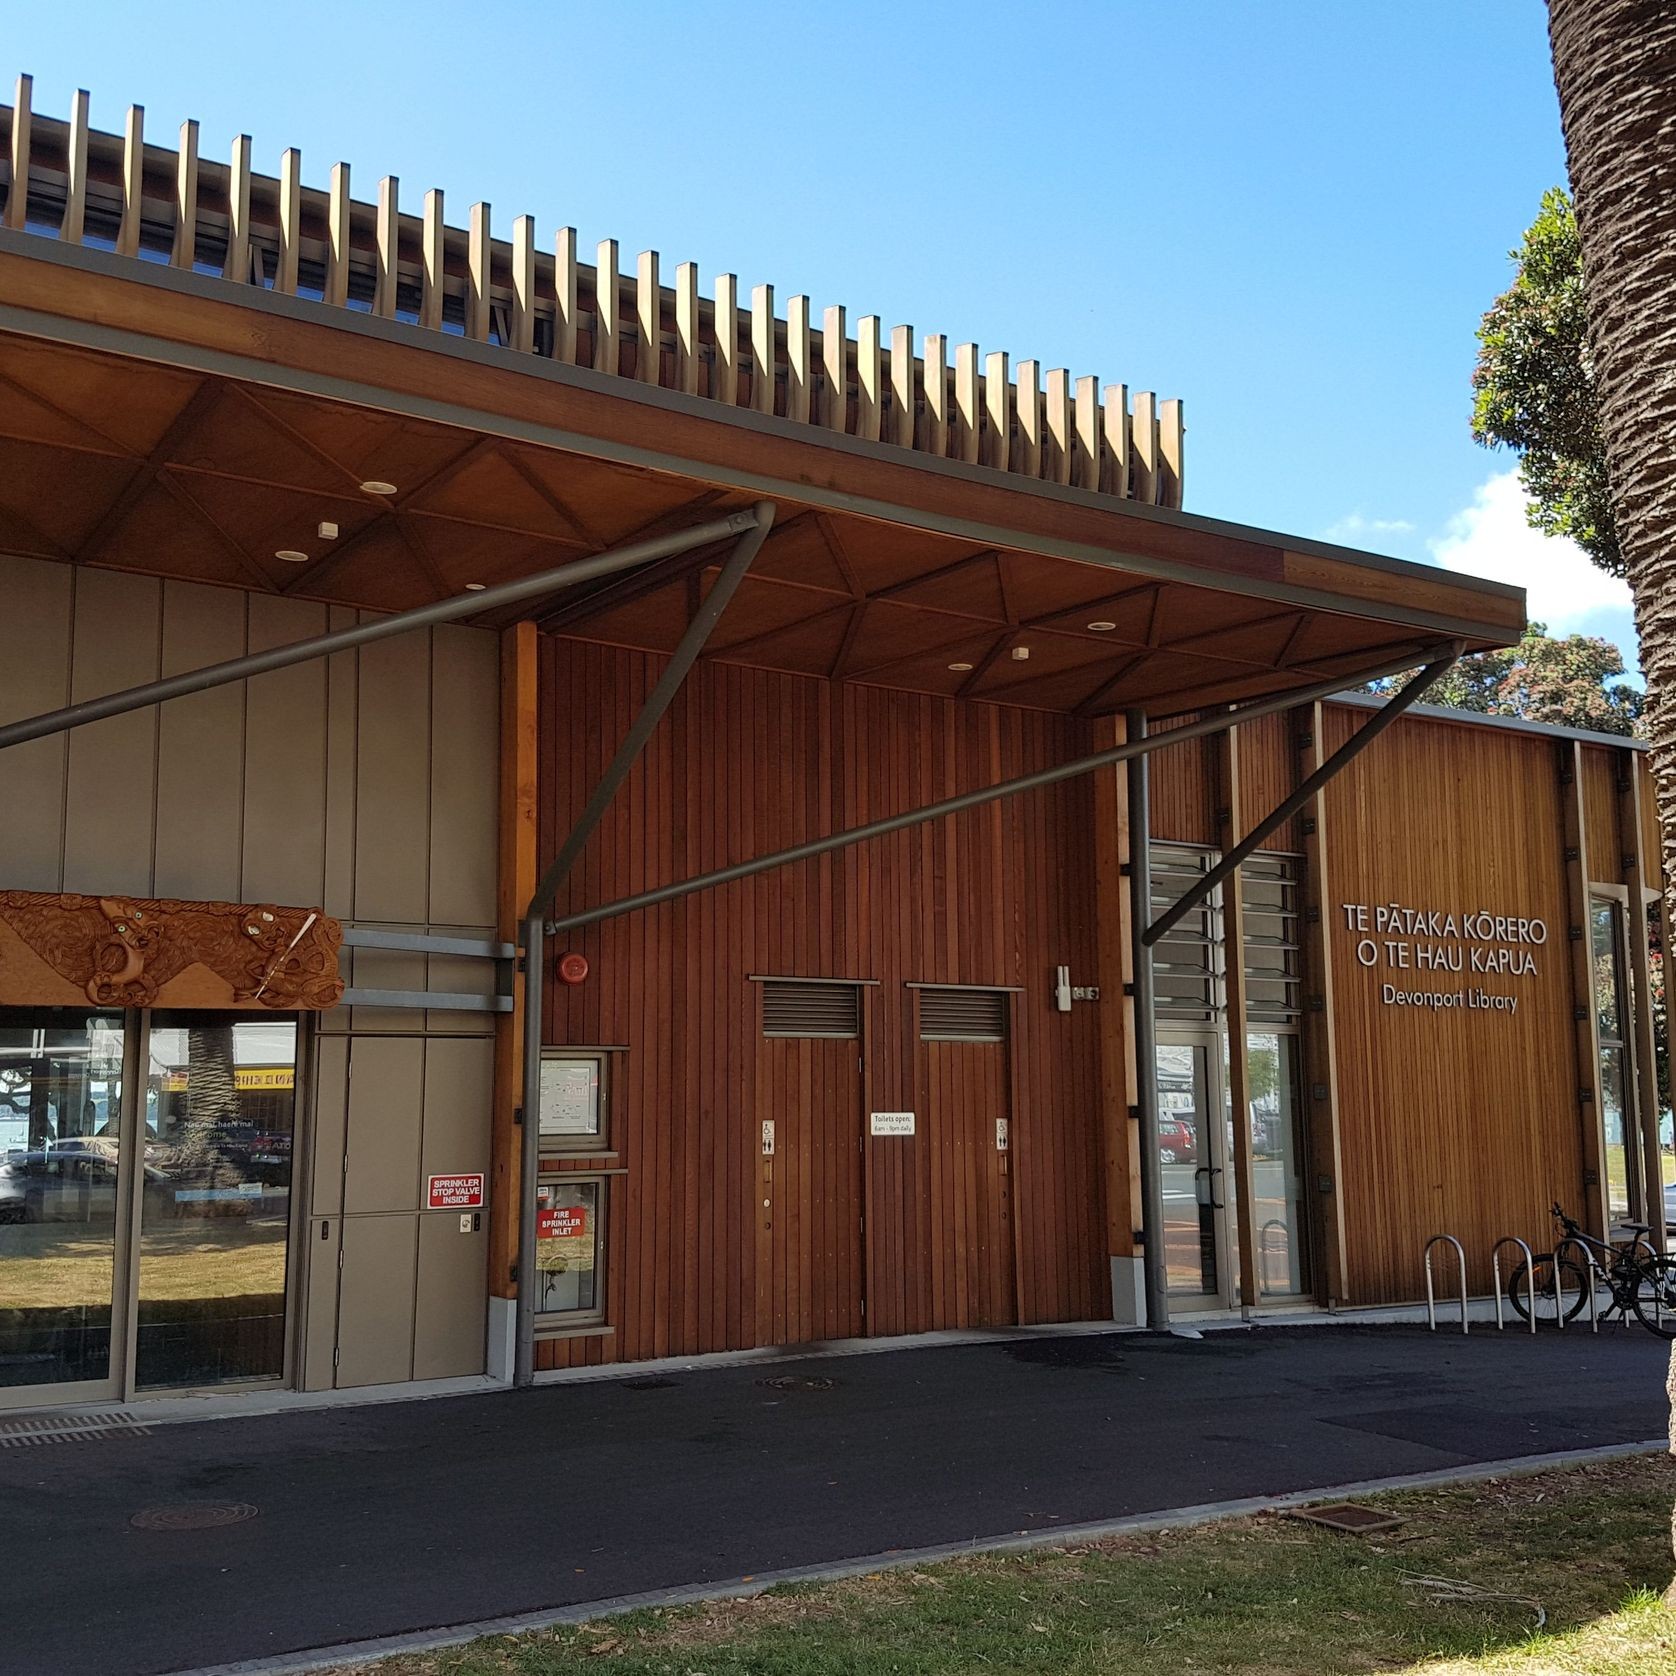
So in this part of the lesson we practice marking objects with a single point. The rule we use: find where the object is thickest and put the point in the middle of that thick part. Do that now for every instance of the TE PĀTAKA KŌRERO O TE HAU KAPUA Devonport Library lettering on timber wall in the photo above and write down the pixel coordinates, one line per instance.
(1425, 949)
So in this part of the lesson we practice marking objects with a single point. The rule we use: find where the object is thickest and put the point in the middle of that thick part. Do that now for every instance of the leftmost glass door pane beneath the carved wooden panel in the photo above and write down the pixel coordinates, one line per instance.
(61, 1092)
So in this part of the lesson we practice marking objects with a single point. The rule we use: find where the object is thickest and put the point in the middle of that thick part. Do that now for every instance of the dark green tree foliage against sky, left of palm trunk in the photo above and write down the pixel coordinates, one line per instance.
(1533, 388)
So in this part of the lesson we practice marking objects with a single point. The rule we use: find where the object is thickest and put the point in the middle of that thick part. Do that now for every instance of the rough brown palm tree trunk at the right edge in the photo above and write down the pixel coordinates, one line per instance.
(1615, 66)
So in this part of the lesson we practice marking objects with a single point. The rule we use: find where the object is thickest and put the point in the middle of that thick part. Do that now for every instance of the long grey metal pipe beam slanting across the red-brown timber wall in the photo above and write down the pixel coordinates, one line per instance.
(1006, 789)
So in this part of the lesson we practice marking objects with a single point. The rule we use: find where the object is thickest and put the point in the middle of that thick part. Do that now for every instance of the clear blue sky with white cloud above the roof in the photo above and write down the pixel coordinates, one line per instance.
(1288, 214)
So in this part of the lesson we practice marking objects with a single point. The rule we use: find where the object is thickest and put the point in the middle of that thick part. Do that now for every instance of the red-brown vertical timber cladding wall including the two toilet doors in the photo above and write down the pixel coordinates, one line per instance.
(713, 1243)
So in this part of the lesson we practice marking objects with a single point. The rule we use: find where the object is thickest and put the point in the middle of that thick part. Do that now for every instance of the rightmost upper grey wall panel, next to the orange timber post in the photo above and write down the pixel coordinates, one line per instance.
(465, 775)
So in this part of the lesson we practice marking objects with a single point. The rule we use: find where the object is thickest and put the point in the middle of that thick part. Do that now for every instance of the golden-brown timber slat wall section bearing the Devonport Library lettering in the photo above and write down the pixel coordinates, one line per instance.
(1456, 1115)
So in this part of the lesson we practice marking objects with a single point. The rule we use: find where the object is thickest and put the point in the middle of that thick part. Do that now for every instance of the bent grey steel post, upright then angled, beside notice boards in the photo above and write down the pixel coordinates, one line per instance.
(693, 643)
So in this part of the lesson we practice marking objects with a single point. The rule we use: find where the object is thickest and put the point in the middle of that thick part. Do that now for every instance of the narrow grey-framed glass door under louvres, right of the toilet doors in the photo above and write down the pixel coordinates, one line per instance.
(1194, 1156)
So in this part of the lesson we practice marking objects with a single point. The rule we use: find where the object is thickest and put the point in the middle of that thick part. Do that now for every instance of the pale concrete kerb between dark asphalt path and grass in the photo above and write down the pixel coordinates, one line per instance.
(354, 1655)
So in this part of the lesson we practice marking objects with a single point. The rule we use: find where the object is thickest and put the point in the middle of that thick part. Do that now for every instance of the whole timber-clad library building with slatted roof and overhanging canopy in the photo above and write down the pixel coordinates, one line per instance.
(371, 1008)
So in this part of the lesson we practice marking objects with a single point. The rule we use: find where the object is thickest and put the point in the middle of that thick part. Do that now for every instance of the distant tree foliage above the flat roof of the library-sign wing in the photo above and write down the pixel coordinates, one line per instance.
(1565, 683)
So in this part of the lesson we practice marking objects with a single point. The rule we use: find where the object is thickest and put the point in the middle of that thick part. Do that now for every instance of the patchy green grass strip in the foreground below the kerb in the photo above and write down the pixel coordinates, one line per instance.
(1266, 1596)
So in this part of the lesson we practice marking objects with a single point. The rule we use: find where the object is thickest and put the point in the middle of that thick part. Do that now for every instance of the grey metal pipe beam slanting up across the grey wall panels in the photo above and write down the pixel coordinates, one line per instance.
(323, 646)
